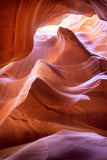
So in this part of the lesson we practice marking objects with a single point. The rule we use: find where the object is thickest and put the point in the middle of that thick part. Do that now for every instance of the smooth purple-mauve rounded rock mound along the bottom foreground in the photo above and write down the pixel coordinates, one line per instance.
(63, 145)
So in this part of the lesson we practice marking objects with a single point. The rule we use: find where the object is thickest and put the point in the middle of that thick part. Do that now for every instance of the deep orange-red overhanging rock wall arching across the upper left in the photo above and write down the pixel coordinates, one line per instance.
(23, 18)
